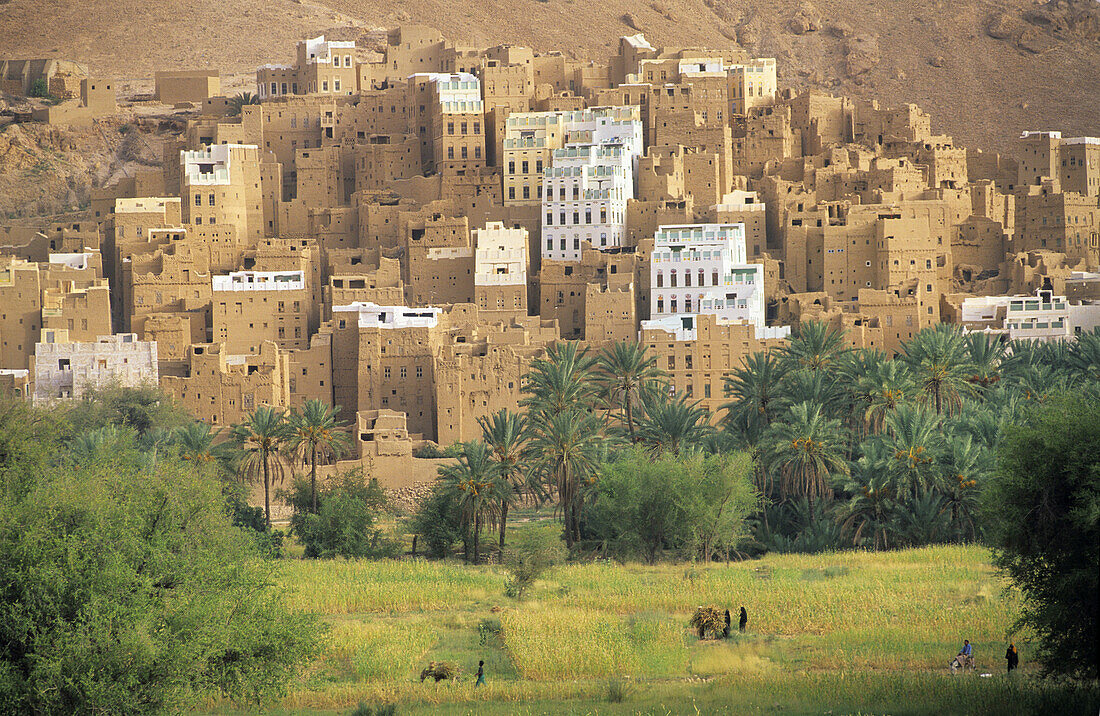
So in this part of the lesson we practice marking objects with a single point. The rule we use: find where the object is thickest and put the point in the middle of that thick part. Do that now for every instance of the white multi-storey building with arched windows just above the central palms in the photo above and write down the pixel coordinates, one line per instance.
(703, 269)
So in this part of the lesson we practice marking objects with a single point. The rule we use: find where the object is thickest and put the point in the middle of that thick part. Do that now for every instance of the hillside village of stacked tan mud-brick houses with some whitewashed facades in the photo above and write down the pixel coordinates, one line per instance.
(402, 233)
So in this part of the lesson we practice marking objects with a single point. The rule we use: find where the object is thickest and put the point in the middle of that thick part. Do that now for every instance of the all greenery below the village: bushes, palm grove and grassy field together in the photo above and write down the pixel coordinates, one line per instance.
(136, 577)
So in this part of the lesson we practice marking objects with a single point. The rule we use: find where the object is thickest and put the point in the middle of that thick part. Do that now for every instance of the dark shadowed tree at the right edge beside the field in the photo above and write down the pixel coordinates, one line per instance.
(1044, 516)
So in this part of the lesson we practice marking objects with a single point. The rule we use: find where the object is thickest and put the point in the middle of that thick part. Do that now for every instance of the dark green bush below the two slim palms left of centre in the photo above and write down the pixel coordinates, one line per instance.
(345, 524)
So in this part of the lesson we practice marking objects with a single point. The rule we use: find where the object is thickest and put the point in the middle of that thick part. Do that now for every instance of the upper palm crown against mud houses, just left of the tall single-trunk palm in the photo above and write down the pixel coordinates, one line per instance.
(560, 382)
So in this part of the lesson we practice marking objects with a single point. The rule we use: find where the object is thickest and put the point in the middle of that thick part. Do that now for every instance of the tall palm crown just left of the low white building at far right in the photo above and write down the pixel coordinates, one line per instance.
(941, 363)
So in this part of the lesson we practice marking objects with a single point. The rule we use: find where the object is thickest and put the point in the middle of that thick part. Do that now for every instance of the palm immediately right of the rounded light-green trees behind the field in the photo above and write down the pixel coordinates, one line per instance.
(808, 449)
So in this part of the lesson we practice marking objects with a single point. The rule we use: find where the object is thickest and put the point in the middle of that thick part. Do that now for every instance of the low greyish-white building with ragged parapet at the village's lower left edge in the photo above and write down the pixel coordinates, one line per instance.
(71, 369)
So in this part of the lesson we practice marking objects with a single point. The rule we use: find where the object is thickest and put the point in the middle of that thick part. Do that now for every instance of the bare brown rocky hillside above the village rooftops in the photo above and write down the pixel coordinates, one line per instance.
(986, 70)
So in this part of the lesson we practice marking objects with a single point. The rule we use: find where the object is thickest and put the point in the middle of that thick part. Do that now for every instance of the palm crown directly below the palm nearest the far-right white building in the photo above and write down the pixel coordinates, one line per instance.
(914, 438)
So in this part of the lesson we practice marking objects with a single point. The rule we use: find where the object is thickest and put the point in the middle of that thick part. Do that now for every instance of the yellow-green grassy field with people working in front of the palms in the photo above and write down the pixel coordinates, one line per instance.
(845, 633)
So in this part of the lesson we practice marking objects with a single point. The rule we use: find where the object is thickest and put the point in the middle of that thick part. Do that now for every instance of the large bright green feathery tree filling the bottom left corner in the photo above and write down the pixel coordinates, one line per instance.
(155, 601)
